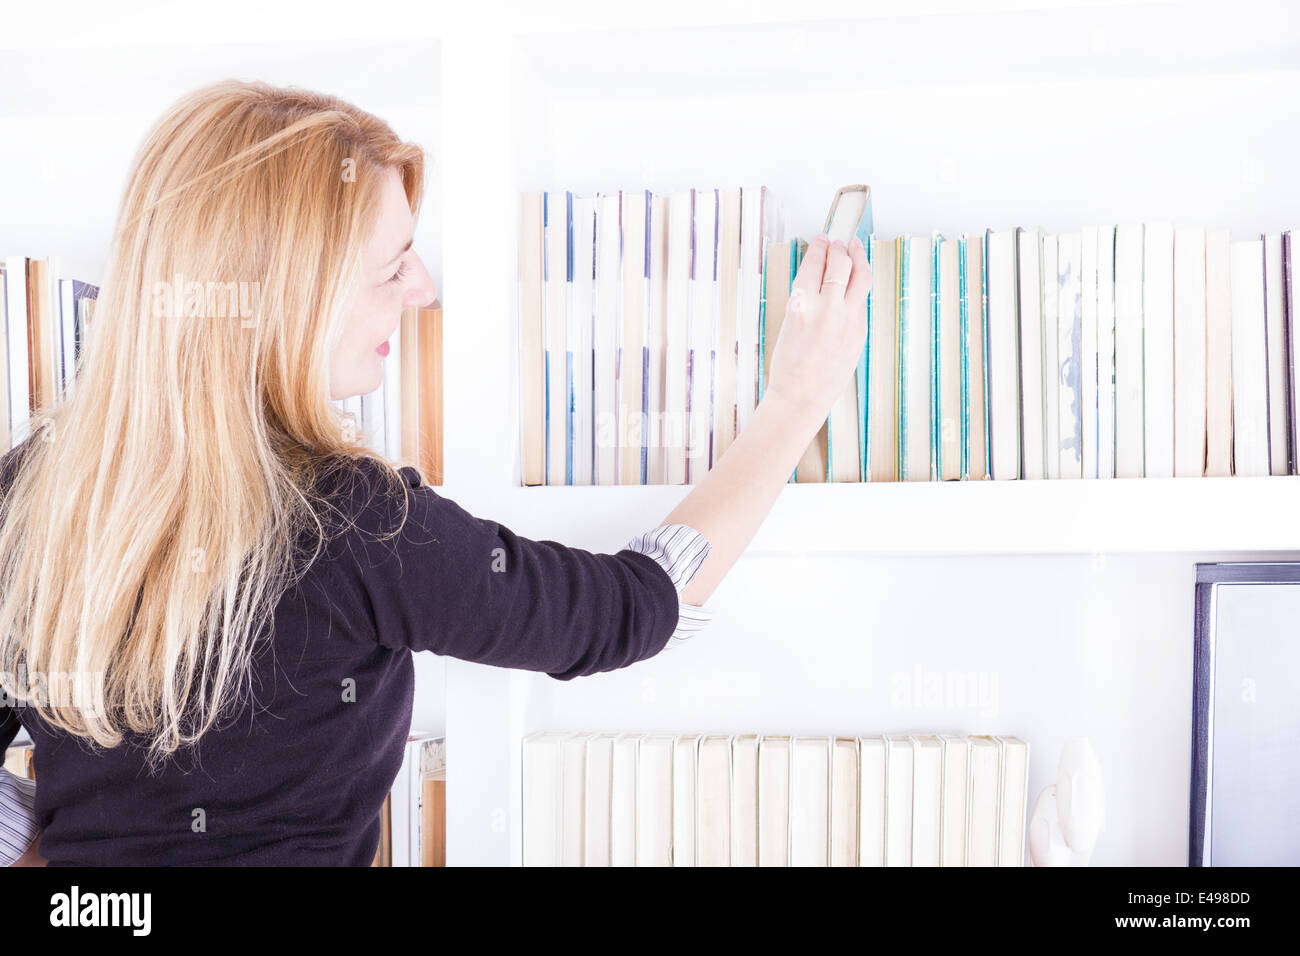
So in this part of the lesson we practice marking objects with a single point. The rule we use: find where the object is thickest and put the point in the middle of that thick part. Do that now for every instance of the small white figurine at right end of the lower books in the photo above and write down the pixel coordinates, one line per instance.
(1069, 815)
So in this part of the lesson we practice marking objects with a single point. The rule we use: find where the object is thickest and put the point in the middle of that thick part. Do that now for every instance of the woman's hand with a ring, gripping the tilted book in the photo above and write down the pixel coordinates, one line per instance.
(825, 328)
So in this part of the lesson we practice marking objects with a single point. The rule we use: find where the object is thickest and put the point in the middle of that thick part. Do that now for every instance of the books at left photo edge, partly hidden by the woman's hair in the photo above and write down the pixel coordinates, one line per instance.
(44, 319)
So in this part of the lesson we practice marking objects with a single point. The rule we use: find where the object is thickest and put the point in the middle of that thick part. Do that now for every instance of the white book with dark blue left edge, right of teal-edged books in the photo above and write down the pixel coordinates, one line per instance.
(1004, 362)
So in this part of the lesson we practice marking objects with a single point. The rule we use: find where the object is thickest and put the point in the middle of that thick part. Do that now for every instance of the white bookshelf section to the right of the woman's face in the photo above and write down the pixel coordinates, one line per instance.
(1073, 599)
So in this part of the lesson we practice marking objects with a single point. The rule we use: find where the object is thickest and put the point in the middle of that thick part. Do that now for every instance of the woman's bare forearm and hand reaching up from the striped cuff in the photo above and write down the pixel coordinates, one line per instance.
(820, 347)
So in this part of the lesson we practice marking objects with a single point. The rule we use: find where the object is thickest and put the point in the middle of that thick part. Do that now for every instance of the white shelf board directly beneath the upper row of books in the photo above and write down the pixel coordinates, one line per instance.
(1129, 516)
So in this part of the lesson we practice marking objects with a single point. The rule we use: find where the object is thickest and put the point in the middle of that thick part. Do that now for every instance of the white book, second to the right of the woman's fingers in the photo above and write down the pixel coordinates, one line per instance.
(917, 361)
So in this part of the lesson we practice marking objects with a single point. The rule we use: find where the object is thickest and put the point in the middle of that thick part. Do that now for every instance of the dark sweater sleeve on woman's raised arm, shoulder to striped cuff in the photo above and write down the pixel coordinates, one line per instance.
(471, 589)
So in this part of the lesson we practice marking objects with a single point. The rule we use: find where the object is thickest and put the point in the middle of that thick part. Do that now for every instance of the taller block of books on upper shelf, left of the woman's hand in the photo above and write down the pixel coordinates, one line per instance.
(640, 331)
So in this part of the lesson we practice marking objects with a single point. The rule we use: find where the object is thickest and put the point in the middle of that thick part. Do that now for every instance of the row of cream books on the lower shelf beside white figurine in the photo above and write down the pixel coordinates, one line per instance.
(760, 801)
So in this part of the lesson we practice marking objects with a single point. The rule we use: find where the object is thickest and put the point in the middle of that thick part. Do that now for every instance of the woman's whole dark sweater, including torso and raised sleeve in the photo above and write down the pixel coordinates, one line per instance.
(301, 778)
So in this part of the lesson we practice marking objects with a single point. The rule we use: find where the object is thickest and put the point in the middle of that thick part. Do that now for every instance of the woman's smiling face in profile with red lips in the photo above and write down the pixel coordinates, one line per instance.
(393, 279)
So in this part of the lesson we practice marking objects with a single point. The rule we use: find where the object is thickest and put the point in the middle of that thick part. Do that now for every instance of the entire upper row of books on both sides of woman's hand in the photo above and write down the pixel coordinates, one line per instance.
(648, 327)
